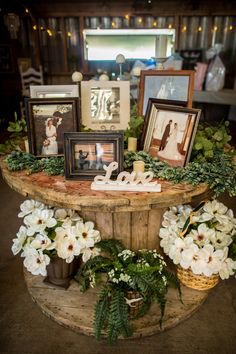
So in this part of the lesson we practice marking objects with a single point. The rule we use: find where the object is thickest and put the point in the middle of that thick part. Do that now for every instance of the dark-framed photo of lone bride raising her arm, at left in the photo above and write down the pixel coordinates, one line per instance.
(47, 120)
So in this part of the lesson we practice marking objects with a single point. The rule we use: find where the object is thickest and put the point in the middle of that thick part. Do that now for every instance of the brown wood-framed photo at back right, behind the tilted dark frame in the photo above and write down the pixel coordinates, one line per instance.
(173, 85)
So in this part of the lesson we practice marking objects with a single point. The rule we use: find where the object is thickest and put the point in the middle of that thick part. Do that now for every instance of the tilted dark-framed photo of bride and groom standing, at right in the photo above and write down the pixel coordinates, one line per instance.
(169, 132)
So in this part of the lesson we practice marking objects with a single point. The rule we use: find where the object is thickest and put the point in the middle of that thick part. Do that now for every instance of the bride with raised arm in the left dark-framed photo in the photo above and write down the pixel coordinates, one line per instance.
(50, 146)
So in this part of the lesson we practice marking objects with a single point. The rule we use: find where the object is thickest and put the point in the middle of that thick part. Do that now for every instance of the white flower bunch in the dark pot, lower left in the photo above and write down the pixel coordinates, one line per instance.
(50, 231)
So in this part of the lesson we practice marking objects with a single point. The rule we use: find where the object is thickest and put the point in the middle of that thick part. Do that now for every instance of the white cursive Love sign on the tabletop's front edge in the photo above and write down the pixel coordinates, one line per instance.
(132, 182)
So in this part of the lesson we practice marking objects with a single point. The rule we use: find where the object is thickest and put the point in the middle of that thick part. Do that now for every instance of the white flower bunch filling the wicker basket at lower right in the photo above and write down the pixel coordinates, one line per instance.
(202, 240)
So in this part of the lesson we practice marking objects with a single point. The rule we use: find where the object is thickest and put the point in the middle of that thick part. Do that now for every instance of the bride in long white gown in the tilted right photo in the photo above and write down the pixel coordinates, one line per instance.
(170, 151)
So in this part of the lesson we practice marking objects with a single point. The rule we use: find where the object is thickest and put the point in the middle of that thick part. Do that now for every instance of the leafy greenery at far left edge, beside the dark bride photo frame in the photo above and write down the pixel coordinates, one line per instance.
(18, 130)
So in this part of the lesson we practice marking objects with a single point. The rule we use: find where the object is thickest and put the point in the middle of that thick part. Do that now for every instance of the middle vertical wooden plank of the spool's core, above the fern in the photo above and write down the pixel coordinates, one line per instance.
(122, 227)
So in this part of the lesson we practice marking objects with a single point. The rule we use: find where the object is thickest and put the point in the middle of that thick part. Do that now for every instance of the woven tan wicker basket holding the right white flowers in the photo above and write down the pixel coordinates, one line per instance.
(195, 281)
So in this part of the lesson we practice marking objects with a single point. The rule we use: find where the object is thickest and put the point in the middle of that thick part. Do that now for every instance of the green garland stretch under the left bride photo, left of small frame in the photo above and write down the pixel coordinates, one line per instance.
(19, 160)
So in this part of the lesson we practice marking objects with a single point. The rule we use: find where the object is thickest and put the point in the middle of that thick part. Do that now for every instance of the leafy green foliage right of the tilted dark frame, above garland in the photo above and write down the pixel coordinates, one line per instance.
(210, 138)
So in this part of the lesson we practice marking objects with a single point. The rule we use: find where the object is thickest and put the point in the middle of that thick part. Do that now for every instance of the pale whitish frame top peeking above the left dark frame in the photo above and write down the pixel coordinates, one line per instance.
(53, 91)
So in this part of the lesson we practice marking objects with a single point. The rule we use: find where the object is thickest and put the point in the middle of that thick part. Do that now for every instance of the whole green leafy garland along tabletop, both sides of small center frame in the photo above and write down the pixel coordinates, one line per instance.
(219, 173)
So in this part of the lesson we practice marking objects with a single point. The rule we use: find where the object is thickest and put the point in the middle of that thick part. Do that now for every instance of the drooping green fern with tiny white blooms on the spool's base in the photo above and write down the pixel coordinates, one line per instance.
(130, 280)
